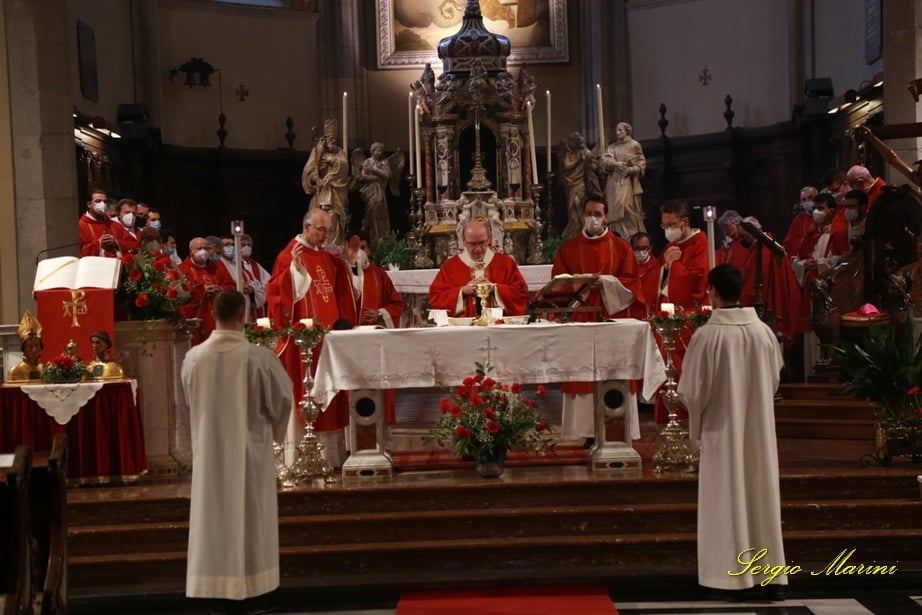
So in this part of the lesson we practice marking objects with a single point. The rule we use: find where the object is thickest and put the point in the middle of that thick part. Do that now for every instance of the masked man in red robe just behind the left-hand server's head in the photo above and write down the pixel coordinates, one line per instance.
(206, 280)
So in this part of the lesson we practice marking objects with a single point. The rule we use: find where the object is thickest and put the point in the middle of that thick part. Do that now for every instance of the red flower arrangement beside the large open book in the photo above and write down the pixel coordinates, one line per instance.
(151, 288)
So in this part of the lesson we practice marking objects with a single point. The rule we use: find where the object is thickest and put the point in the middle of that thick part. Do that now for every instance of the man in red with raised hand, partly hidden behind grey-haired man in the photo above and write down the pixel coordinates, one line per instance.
(377, 302)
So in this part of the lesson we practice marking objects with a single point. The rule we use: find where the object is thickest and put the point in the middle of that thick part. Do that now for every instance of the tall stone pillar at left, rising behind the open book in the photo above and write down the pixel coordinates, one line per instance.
(39, 62)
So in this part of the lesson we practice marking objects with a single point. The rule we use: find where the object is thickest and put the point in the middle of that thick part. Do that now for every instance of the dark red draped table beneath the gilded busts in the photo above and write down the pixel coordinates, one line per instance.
(105, 436)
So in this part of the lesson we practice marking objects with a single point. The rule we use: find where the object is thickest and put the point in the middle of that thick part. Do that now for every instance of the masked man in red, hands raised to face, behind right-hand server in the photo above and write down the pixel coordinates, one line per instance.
(683, 280)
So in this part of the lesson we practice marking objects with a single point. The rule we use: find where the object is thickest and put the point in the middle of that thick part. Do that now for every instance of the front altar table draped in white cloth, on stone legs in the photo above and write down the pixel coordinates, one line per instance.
(610, 354)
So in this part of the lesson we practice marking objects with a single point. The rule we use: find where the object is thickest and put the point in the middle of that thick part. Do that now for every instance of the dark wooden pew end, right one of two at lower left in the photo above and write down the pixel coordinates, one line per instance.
(49, 525)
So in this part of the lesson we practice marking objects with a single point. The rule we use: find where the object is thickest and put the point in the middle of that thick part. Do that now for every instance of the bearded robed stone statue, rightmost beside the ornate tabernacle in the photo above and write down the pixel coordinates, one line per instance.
(624, 164)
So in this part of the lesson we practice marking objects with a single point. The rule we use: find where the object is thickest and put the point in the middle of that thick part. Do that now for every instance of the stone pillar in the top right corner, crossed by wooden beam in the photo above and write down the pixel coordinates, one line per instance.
(902, 63)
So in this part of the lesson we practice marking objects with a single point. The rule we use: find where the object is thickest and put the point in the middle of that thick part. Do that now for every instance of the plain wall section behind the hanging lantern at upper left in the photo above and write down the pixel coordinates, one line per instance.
(271, 52)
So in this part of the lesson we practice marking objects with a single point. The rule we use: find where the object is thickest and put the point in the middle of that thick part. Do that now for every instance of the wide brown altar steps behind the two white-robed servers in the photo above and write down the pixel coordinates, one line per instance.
(537, 524)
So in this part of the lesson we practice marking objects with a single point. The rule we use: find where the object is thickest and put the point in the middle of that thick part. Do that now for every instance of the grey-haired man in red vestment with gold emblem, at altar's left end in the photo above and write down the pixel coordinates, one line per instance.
(309, 282)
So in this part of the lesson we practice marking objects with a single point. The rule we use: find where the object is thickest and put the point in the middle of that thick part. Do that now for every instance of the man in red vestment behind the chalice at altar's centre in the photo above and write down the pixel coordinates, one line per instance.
(455, 286)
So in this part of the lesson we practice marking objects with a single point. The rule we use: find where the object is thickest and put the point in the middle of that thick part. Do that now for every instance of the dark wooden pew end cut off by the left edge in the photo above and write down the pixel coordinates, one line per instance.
(15, 534)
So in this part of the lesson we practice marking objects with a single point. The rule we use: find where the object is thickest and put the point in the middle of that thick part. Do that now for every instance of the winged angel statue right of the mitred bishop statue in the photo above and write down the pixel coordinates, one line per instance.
(372, 177)
